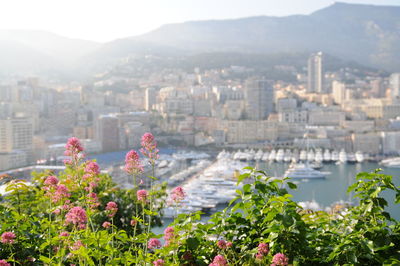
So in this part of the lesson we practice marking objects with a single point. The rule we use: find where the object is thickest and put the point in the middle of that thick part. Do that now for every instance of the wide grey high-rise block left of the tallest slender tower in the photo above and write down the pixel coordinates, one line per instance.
(260, 98)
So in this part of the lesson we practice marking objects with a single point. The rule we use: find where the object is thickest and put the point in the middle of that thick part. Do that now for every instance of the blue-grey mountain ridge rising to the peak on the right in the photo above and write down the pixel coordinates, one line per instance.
(368, 34)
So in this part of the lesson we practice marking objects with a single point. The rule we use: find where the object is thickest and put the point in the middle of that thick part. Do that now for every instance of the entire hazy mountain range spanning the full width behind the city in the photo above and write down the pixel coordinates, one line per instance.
(365, 34)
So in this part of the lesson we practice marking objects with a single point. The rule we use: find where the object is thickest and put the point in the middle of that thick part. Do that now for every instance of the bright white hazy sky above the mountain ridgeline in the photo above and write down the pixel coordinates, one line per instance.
(104, 20)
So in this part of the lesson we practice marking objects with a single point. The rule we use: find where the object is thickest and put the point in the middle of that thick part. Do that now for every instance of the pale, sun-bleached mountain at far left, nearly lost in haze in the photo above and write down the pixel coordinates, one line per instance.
(30, 52)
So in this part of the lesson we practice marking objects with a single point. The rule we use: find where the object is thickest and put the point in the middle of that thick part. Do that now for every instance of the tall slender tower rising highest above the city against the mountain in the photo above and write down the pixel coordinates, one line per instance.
(315, 74)
